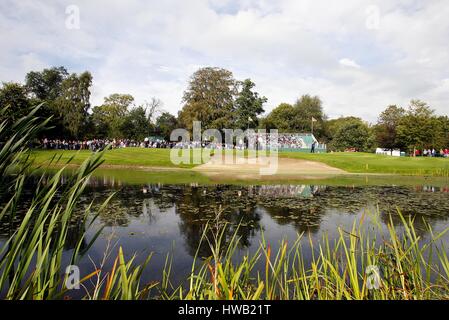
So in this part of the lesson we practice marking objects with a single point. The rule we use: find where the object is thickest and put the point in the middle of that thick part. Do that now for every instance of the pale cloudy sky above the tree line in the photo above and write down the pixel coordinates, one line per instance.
(358, 56)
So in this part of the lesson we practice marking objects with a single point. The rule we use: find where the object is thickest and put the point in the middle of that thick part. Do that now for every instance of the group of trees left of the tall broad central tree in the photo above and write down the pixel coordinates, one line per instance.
(65, 98)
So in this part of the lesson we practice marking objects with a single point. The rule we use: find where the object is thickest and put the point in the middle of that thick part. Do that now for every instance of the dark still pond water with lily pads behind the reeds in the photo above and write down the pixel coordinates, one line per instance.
(170, 219)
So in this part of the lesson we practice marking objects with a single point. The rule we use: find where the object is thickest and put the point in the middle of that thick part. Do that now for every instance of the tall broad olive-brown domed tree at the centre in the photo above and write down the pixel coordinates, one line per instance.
(209, 98)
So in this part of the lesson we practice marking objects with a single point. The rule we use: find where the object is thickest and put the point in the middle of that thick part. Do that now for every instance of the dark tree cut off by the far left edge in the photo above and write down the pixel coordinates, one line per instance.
(13, 97)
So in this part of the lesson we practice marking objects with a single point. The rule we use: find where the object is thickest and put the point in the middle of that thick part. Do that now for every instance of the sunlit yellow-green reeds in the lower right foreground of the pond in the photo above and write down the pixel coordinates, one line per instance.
(337, 269)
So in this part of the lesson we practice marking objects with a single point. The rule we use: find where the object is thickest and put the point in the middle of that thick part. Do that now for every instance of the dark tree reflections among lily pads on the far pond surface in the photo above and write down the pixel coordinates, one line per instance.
(302, 207)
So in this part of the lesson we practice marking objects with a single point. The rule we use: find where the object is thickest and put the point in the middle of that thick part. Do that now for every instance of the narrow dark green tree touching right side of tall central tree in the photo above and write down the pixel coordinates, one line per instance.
(248, 106)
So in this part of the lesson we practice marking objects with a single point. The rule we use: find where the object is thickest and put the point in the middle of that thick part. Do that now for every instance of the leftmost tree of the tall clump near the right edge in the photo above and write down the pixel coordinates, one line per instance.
(386, 127)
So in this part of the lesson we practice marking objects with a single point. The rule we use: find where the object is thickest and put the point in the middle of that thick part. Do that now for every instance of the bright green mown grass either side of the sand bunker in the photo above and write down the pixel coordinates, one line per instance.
(350, 162)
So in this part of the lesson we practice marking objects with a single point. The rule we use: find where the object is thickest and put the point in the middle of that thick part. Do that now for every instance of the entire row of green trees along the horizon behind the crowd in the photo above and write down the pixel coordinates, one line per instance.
(214, 97)
